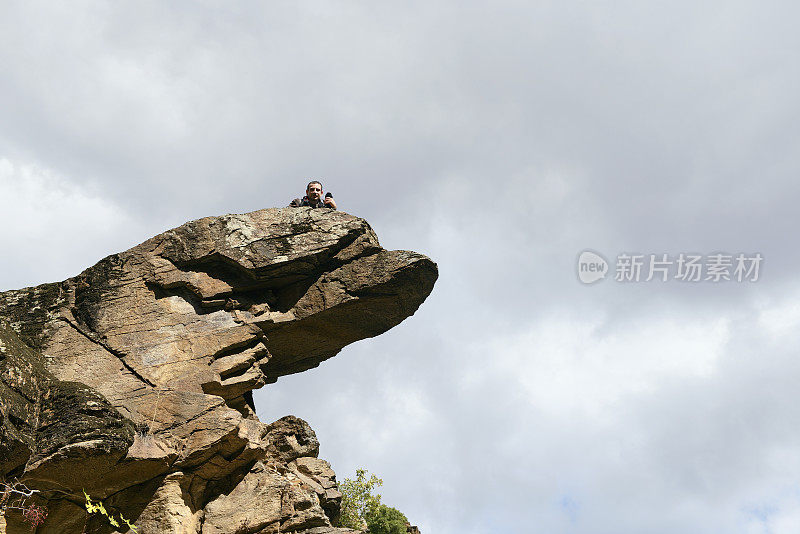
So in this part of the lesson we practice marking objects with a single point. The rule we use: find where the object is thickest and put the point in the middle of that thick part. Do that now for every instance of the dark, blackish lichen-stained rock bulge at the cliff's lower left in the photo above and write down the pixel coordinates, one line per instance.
(51, 429)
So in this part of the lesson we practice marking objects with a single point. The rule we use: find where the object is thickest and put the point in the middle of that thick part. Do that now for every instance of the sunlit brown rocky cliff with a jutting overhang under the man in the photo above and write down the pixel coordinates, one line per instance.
(133, 380)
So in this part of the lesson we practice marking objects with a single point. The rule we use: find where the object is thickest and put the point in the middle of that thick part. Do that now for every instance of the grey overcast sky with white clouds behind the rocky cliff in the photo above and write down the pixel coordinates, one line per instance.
(501, 139)
